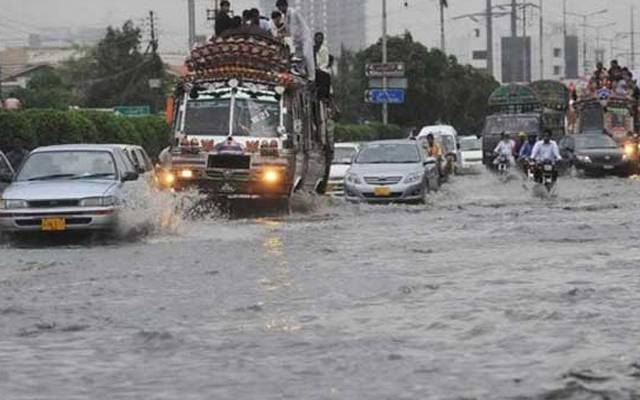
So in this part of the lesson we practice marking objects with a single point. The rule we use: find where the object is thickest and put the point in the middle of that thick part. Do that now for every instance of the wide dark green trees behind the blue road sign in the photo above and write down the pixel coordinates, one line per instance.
(440, 89)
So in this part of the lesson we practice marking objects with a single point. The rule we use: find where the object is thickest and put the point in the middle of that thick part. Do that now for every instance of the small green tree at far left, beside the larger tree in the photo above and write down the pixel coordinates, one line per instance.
(47, 89)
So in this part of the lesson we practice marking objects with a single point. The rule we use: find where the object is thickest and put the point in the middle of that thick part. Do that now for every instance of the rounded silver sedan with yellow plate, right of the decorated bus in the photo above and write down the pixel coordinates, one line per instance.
(391, 171)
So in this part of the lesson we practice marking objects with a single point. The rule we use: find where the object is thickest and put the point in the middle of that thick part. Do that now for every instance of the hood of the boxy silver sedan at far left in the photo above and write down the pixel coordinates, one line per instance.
(60, 189)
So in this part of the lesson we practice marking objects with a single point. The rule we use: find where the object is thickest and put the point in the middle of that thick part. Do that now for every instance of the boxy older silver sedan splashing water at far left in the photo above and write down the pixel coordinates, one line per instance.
(65, 188)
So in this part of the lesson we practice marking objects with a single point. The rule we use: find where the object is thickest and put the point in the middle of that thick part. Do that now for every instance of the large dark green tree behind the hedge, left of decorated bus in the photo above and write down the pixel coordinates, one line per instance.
(117, 71)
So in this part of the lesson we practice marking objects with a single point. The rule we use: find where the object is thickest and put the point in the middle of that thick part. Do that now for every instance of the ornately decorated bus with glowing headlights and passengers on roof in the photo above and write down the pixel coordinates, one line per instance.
(246, 124)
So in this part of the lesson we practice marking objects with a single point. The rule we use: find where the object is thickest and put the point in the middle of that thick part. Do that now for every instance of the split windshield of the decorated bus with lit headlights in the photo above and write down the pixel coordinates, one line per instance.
(255, 117)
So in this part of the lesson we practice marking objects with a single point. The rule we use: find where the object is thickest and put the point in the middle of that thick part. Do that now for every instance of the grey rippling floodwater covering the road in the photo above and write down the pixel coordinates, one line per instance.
(486, 293)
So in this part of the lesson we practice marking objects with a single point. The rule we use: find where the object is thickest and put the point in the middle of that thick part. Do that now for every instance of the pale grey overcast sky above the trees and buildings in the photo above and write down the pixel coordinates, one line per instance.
(20, 17)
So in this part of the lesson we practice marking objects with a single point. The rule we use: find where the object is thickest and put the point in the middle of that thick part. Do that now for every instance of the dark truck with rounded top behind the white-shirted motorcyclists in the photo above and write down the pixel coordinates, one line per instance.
(513, 109)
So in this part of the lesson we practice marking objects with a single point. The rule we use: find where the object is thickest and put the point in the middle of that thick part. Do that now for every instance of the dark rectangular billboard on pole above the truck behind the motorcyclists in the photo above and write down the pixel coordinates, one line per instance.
(516, 59)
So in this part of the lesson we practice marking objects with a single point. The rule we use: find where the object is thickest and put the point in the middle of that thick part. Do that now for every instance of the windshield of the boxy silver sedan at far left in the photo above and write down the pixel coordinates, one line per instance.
(68, 165)
